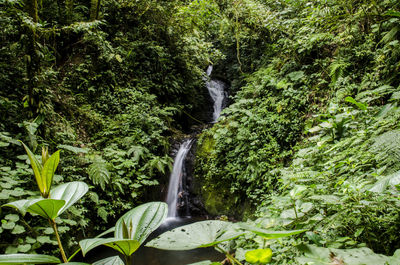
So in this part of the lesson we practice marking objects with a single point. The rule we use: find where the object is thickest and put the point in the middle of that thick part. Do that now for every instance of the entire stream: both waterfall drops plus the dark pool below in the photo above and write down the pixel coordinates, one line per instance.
(177, 197)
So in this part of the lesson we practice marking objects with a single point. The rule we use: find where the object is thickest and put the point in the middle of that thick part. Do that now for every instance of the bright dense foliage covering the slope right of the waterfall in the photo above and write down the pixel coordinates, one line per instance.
(311, 139)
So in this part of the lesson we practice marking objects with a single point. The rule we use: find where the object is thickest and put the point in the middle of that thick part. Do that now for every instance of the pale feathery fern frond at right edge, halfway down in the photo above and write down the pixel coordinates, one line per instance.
(387, 149)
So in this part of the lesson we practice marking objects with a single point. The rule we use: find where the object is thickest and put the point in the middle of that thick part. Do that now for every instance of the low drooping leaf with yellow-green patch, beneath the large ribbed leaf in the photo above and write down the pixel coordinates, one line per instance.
(124, 246)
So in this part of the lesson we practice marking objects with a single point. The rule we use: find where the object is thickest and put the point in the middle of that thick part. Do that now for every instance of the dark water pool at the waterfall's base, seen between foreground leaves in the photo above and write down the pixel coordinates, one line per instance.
(151, 256)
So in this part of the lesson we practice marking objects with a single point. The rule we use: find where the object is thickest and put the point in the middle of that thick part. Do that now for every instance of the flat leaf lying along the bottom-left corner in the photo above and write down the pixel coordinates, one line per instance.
(27, 259)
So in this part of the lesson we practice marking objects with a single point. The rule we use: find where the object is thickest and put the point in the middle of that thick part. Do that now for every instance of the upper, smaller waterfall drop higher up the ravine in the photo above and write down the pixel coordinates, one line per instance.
(216, 89)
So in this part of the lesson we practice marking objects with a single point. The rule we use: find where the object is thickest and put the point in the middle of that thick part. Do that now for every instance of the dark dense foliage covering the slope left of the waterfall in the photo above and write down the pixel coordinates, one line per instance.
(109, 85)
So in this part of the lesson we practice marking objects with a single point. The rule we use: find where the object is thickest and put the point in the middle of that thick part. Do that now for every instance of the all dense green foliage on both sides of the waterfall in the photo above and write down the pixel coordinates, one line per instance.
(309, 141)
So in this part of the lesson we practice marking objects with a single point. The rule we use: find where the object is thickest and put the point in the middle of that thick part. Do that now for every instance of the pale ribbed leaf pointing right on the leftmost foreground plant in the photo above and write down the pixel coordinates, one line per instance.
(69, 192)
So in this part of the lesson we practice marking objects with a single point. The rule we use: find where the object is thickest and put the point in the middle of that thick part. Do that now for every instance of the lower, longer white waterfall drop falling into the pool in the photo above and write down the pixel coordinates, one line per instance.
(175, 189)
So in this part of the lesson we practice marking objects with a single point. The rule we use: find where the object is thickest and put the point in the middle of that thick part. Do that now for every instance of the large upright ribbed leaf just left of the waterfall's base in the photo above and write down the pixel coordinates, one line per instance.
(141, 221)
